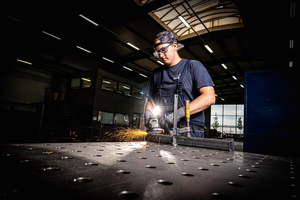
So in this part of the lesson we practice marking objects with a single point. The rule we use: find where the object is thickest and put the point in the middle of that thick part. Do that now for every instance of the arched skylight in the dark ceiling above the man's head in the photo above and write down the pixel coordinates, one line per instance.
(211, 12)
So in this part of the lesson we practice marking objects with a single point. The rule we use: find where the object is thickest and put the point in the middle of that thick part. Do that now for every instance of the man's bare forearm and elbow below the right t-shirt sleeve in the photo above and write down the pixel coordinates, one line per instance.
(206, 99)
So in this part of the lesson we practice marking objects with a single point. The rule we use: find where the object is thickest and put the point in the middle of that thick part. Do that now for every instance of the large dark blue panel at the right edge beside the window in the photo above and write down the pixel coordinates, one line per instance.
(272, 112)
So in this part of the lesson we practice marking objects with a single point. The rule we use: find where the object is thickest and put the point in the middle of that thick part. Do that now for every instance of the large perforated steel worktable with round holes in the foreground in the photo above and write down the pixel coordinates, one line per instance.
(143, 170)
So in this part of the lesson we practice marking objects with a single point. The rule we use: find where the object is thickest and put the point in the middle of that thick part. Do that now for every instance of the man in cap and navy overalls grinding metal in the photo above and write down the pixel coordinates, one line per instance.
(188, 78)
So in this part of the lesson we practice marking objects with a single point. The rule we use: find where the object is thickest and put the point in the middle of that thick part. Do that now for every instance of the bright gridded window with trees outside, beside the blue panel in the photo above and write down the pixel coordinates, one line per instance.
(228, 118)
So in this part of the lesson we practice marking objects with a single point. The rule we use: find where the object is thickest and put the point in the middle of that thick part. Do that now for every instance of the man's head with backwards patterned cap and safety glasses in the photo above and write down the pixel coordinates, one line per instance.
(165, 47)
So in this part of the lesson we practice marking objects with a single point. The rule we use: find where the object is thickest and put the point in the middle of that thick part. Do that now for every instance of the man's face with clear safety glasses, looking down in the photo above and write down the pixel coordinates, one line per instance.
(166, 53)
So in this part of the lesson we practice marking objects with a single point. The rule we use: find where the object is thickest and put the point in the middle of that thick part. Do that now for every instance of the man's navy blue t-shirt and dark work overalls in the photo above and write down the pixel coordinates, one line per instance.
(166, 78)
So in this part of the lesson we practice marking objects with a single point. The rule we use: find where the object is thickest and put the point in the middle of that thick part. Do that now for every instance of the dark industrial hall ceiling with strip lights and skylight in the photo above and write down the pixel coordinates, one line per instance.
(117, 36)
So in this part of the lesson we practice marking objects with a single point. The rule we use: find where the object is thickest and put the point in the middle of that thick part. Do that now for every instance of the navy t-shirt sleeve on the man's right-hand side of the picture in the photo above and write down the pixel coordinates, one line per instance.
(200, 75)
